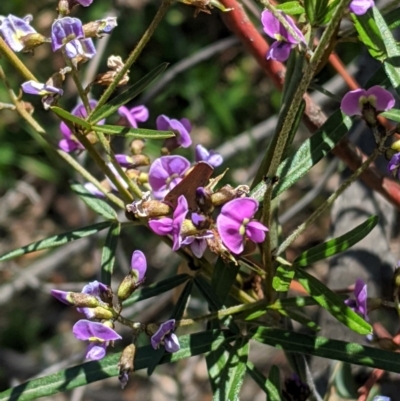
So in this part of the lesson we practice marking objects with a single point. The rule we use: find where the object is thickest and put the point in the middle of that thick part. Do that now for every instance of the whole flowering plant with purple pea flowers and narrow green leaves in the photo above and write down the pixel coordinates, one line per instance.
(228, 237)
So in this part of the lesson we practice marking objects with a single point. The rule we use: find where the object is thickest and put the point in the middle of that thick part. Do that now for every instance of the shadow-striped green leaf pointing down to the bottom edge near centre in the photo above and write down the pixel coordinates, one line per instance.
(227, 374)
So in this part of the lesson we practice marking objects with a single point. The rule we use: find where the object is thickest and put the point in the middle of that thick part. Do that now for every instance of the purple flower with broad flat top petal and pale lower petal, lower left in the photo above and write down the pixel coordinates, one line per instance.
(99, 336)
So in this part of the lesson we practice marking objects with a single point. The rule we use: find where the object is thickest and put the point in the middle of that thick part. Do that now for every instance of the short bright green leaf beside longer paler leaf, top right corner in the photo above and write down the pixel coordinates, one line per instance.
(369, 34)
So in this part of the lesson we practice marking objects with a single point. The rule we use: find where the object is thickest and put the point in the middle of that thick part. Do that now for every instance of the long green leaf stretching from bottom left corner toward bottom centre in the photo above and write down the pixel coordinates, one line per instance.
(68, 379)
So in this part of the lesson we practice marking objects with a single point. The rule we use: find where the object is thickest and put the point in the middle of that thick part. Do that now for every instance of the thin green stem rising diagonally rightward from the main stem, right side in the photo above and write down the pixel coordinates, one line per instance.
(302, 227)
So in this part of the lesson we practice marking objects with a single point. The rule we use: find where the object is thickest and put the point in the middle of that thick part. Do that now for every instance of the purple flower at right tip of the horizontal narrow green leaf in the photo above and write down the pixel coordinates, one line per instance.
(181, 129)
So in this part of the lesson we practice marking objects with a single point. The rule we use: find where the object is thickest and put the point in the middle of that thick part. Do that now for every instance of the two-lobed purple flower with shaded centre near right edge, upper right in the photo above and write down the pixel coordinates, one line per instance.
(354, 102)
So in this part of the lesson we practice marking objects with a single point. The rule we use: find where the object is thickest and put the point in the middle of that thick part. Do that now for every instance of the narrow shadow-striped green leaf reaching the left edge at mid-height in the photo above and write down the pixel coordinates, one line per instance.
(56, 240)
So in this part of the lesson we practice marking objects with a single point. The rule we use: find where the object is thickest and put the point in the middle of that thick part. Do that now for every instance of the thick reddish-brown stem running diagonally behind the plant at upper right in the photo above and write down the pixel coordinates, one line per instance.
(238, 22)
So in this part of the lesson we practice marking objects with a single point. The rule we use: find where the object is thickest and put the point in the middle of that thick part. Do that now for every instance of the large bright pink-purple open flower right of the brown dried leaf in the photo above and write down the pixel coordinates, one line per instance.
(234, 224)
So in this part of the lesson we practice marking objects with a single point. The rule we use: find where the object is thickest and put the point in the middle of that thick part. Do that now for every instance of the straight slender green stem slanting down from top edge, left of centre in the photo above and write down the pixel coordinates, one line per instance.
(135, 53)
